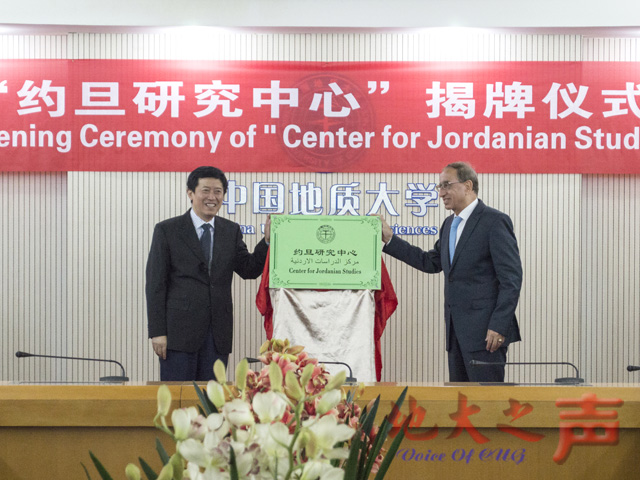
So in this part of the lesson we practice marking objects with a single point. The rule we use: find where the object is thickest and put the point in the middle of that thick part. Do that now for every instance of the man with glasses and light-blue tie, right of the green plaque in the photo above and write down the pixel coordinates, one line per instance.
(478, 253)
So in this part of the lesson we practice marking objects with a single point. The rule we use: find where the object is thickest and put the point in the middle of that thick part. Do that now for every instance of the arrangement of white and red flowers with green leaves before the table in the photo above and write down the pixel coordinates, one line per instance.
(290, 420)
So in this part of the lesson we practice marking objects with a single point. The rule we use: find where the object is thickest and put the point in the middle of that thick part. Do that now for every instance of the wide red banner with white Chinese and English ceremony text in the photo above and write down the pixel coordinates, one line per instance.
(142, 115)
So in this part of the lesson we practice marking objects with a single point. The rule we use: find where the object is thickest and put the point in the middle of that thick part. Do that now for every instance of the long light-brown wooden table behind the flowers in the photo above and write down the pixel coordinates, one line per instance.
(458, 430)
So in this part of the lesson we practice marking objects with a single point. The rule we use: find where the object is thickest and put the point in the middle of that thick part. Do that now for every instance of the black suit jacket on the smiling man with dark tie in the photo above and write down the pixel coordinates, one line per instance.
(183, 298)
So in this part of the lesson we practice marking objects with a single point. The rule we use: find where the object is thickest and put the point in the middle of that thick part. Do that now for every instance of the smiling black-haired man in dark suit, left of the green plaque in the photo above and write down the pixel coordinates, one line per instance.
(189, 274)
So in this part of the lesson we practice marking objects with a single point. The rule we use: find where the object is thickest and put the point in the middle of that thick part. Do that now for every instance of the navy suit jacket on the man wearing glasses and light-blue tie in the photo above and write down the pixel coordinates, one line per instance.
(482, 284)
